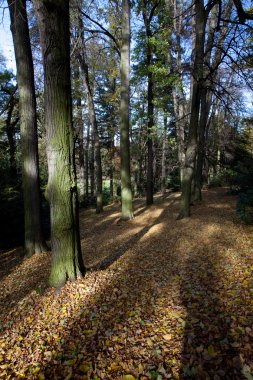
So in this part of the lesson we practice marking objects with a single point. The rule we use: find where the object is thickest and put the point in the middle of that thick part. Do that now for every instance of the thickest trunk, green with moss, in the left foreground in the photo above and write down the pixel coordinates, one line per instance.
(53, 22)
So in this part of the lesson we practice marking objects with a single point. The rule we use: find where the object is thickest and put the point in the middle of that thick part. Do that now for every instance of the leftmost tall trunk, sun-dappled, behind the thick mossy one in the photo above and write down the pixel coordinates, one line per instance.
(34, 241)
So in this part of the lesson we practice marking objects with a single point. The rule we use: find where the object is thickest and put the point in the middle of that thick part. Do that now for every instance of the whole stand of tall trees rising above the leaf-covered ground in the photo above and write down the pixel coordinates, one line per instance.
(71, 99)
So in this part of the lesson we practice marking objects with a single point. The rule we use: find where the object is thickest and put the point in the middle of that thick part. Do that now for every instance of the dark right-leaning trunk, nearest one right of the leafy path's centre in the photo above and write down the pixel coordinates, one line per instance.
(196, 81)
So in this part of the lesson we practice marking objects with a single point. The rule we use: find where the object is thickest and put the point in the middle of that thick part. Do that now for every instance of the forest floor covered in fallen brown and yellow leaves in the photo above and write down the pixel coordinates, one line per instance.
(162, 299)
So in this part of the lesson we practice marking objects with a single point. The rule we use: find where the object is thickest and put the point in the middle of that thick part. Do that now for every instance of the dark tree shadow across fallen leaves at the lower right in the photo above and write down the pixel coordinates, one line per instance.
(209, 349)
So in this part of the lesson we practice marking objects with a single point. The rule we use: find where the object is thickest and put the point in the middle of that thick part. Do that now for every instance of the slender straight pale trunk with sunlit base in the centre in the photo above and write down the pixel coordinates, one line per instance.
(126, 192)
